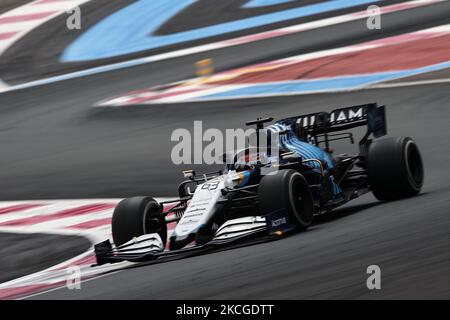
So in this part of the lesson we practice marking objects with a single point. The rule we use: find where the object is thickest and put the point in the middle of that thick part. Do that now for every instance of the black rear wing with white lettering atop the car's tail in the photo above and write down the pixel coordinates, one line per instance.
(371, 114)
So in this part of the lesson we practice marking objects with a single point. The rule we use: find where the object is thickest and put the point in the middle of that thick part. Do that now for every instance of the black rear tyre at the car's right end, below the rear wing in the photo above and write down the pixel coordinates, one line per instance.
(394, 168)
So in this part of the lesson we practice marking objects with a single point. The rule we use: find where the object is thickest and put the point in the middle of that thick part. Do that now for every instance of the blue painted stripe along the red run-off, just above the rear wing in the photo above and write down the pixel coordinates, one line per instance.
(327, 84)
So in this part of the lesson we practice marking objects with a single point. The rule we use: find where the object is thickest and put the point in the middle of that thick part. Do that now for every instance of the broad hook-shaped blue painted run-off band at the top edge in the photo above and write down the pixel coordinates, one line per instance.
(131, 29)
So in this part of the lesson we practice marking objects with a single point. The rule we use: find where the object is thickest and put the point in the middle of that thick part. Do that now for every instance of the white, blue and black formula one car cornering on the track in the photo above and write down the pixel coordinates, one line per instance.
(304, 180)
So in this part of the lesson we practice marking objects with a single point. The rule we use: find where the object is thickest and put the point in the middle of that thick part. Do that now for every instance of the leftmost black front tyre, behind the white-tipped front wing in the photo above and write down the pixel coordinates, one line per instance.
(137, 216)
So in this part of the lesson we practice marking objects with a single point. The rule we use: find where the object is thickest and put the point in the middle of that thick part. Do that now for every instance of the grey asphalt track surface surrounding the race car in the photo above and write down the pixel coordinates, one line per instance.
(56, 145)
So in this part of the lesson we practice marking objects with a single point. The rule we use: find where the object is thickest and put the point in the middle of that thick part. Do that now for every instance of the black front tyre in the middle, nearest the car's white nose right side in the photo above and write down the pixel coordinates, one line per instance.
(287, 189)
